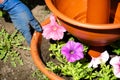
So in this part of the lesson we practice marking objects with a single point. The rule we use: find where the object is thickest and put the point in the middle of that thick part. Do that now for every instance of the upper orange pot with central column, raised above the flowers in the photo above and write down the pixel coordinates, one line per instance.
(90, 25)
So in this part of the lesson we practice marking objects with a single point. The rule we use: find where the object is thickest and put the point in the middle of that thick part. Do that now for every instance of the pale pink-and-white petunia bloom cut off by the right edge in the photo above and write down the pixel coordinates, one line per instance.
(115, 62)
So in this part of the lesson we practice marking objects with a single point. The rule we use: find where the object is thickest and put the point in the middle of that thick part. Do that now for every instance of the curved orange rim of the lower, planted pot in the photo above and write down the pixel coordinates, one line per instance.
(35, 53)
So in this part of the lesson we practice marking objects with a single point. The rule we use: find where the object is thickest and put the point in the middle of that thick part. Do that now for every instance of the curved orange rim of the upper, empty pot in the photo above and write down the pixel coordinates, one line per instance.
(74, 22)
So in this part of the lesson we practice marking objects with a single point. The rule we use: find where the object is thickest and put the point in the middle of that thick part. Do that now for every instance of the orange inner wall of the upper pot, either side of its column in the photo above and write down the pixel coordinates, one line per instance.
(77, 9)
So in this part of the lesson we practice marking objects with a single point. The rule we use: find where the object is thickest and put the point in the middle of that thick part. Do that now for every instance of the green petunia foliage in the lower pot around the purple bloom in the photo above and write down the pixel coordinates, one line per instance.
(77, 70)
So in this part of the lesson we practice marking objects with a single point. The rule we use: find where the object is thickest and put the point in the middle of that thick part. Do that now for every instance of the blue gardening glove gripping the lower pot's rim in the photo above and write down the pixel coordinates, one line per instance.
(21, 17)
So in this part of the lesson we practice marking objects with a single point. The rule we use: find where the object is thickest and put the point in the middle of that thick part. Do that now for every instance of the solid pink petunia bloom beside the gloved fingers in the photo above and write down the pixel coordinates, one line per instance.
(53, 30)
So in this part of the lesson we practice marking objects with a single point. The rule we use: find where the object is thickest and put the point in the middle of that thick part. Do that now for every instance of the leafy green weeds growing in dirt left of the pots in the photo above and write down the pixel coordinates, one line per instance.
(9, 45)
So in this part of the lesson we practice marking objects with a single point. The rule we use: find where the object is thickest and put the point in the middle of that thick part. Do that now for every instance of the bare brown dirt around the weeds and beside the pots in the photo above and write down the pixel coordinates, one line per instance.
(22, 72)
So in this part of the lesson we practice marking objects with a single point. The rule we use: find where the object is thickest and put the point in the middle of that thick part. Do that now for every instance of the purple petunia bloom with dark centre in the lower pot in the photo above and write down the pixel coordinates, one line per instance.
(73, 51)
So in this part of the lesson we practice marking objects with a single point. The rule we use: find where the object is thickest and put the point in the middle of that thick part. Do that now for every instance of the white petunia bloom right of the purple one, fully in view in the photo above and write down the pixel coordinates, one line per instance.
(103, 58)
